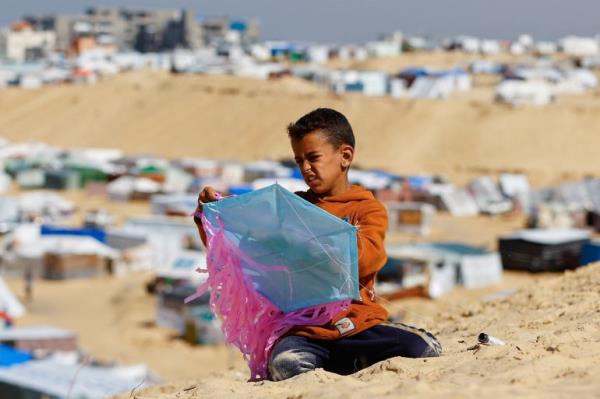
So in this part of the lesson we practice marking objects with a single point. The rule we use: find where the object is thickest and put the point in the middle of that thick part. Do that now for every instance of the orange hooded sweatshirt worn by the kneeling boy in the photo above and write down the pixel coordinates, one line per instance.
(358, 207)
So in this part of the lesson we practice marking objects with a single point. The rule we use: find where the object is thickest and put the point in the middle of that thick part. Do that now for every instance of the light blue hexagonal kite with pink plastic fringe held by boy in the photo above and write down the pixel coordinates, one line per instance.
(275, 261)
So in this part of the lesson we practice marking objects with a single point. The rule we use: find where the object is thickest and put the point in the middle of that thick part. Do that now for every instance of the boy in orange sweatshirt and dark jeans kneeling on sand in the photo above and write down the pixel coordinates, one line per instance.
(323, 146)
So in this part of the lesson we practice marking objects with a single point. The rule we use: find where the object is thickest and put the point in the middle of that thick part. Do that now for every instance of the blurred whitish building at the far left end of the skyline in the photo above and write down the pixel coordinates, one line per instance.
(21, 42)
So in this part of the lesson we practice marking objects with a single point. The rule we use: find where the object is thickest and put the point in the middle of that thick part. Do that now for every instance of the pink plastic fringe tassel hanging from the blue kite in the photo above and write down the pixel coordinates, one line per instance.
(249, 320)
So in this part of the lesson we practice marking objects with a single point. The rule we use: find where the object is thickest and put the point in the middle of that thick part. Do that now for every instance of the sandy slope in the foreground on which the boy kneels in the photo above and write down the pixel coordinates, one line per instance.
(553, 350)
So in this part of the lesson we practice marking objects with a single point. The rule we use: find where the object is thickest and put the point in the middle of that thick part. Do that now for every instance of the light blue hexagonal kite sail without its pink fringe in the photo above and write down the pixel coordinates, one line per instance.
(294, 253)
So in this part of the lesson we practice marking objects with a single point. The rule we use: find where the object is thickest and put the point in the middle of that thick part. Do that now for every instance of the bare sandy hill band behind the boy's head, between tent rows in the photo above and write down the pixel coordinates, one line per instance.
(237, 118)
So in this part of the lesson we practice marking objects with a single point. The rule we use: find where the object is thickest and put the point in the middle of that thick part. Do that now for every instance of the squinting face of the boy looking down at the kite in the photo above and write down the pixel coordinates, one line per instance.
(323, 166)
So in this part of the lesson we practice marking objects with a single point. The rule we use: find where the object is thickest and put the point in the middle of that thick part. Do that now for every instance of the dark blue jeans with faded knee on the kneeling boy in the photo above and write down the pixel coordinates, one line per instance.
(293, 355)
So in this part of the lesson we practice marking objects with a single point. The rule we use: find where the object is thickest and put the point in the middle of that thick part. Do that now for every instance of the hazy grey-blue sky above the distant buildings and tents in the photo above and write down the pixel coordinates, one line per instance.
(362, 20)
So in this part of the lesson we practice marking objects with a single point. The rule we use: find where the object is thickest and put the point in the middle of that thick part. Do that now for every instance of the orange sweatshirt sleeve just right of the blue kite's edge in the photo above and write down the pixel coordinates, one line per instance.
(372, 225)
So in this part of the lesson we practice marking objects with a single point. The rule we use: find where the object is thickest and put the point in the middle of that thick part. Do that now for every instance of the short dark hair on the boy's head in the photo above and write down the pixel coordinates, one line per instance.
(331, 122)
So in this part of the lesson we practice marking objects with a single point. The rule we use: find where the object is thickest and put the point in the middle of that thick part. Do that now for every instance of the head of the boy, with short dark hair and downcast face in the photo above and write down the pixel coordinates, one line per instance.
(323, 145)
